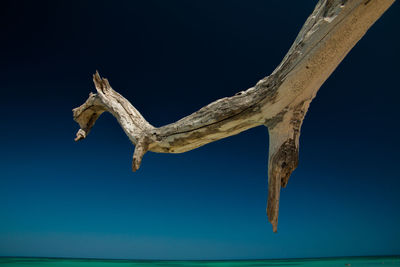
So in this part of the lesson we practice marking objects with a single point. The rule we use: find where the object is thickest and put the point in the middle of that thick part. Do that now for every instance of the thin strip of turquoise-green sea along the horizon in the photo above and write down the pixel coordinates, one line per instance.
(346, 261)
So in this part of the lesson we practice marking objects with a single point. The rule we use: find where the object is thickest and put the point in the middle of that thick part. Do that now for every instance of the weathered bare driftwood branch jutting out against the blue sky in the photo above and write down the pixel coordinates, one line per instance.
(279, 101)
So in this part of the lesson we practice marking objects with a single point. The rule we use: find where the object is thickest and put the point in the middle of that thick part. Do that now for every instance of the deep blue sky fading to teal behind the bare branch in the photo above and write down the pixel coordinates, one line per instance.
(169, 58)
